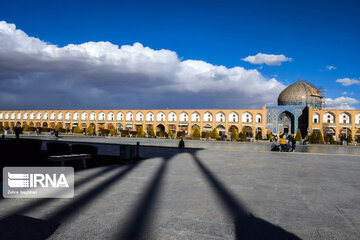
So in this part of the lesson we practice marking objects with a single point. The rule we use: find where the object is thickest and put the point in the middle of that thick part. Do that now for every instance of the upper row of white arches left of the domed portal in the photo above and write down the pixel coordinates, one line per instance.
(232, 117)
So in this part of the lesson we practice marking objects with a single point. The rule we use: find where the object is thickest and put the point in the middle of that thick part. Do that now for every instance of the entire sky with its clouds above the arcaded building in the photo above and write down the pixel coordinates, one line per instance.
(175, 54)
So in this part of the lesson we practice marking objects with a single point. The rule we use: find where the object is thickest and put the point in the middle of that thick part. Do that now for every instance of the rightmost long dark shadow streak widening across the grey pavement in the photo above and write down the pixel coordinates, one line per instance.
(247, 226)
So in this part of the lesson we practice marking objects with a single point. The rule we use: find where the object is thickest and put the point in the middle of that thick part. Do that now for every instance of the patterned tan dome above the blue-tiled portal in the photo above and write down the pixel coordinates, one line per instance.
(300, 93)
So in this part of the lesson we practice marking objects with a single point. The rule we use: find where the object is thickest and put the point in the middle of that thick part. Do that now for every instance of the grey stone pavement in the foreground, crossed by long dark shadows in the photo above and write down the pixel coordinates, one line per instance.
(200, 194)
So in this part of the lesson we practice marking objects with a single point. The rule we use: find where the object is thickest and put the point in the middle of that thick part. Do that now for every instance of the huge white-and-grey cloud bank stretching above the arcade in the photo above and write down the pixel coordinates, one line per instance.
(104, 75)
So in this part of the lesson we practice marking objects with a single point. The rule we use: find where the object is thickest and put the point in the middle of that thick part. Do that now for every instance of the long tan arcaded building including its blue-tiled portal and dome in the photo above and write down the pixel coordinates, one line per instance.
(300, 106)
